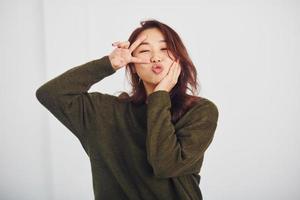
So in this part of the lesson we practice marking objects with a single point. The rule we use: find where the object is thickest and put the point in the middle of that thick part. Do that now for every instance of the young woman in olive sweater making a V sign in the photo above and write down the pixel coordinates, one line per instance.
(147, 145)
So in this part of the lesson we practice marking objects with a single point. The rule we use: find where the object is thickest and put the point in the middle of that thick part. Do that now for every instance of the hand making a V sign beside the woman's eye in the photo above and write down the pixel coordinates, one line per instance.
(122, 55)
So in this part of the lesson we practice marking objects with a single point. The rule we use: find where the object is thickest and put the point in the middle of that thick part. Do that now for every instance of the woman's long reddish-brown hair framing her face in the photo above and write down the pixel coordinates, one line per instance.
(180, 100)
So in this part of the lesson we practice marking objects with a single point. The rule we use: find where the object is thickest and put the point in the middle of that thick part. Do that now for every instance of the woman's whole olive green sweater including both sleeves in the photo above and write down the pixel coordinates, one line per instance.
(135, 151)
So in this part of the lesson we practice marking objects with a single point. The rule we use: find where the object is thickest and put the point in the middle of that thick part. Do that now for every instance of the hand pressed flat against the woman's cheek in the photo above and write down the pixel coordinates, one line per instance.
(170, 80)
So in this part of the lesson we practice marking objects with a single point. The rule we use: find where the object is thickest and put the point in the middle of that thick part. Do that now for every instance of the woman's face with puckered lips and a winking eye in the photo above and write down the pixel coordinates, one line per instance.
(154, 49)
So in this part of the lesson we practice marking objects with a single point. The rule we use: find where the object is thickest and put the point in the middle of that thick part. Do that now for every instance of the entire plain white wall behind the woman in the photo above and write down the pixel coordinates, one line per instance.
(246, 57)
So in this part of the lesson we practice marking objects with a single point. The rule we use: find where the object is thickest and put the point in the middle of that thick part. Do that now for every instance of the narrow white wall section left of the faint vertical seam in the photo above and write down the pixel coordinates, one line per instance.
(25, 167)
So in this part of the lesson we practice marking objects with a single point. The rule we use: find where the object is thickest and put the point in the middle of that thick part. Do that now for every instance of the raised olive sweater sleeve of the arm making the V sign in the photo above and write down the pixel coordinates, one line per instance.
(66, 96)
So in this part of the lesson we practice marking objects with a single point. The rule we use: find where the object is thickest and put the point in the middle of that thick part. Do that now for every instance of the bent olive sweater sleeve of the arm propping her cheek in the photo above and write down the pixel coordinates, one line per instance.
(171, 152)
